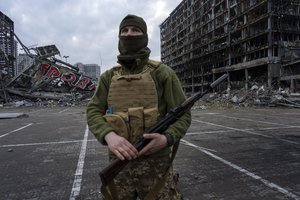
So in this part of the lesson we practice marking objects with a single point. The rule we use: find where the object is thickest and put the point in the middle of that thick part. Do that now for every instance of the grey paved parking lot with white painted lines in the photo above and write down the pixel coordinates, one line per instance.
(228, 154)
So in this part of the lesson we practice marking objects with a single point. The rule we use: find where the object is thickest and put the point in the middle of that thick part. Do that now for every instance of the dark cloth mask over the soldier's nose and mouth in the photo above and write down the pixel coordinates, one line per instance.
(130, 45)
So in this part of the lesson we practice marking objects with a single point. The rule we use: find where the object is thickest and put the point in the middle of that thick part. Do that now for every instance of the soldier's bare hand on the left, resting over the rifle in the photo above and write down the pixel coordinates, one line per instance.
(120, 146)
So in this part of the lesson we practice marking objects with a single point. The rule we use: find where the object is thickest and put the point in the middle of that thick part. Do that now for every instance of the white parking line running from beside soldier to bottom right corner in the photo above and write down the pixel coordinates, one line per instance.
(248, 173)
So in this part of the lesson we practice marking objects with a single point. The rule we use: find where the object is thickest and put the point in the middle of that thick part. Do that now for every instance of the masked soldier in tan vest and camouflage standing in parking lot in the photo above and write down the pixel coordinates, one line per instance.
(131, 97)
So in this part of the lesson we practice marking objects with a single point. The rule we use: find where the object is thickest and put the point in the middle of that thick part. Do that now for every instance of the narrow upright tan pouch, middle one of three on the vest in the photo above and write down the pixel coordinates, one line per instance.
(136, 122)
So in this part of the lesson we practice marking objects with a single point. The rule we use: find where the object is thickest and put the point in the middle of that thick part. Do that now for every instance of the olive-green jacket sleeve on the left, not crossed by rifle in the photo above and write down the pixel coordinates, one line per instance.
(97, 107)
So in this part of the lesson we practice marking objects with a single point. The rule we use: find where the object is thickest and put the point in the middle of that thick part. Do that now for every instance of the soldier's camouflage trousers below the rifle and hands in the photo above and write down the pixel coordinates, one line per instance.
(139, 177)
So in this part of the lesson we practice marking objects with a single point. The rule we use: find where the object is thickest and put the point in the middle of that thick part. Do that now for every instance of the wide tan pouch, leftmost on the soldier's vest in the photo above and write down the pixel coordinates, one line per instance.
(118, 122)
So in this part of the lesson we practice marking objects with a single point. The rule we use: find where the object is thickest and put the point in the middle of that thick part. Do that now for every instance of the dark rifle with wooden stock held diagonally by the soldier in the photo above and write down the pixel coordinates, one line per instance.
(108, 173)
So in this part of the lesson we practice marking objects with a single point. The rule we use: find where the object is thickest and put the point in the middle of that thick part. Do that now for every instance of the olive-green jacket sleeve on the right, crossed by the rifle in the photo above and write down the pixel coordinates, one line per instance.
(171, 96)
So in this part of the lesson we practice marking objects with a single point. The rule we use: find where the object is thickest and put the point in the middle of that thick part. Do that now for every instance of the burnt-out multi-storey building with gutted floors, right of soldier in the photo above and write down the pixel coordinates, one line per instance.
(202, 39)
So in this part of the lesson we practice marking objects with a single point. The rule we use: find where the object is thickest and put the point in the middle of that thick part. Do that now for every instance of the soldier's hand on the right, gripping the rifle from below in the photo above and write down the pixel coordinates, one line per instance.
(158, 142)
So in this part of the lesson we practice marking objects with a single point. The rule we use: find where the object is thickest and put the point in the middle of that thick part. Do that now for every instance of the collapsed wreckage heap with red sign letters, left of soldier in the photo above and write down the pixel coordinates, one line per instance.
(46, 78)
